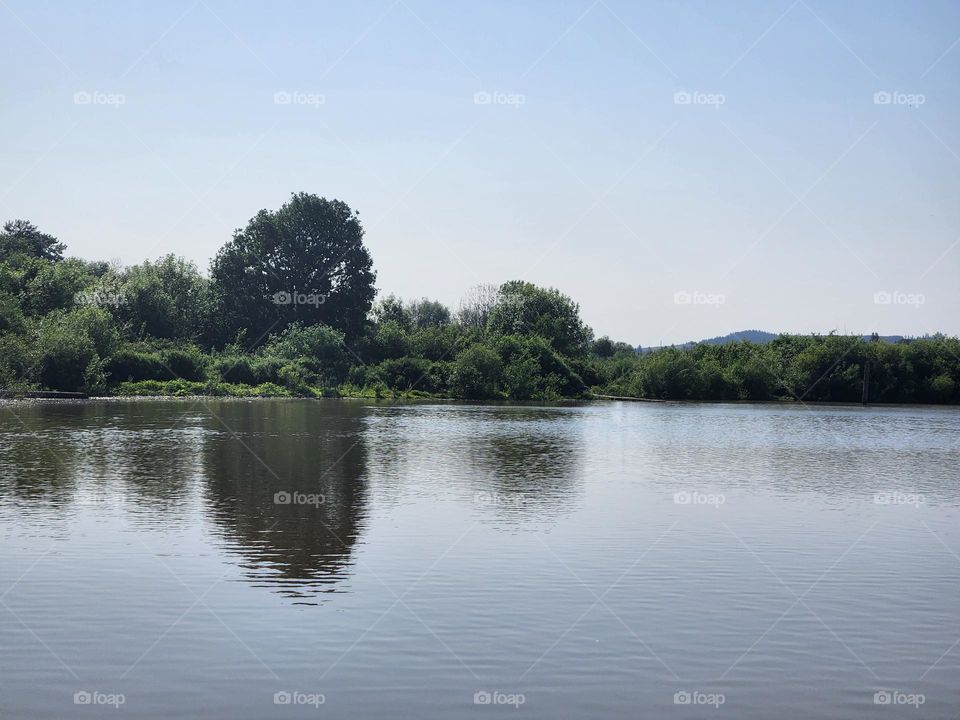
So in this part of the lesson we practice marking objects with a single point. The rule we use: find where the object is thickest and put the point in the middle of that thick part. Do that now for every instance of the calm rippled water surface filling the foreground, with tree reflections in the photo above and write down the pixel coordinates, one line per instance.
(610, 560)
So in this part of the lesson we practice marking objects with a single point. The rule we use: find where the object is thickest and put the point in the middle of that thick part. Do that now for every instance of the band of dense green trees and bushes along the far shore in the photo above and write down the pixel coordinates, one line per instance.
(288, 309)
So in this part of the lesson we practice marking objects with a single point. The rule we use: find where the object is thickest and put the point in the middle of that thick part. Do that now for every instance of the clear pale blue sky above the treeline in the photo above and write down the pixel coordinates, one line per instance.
(680, 169)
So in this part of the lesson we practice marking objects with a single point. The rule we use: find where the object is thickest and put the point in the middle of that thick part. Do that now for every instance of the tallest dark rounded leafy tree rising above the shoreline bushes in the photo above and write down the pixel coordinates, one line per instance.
(304, 263)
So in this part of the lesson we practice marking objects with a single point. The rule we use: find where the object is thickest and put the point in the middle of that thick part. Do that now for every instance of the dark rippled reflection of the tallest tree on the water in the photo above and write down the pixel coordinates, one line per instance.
(287, 487)
